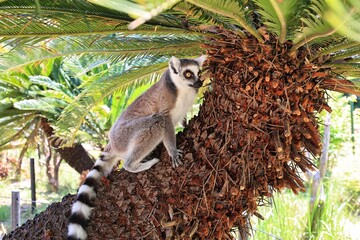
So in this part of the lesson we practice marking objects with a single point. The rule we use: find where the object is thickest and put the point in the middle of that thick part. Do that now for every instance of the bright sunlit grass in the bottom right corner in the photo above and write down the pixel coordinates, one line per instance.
(289, 217)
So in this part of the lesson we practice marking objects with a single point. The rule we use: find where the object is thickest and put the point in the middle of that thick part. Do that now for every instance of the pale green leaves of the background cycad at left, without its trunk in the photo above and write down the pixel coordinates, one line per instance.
(31, 98)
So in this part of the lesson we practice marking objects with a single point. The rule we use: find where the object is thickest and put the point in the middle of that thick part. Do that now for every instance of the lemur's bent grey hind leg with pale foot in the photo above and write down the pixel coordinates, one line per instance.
(143, 142)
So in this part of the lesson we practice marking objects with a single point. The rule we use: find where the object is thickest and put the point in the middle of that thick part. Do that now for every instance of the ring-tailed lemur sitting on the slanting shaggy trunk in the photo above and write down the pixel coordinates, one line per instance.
(149, 120)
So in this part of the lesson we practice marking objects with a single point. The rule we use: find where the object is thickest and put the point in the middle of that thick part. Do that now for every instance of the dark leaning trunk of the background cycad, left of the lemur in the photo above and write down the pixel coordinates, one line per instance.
(76, 156)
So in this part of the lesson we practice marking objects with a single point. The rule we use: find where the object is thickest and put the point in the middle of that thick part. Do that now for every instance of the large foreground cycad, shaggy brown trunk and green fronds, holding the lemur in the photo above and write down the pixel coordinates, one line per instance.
(270, 64)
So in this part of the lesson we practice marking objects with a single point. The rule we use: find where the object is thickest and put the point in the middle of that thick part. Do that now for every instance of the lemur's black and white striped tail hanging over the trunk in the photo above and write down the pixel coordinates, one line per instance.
(81, 209)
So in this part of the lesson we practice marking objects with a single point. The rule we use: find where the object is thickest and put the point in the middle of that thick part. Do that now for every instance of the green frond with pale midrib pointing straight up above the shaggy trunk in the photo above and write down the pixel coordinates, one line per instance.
(279, 15)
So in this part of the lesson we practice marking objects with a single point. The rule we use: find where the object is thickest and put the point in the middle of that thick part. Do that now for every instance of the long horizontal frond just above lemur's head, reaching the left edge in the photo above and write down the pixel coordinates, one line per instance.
(113, 49)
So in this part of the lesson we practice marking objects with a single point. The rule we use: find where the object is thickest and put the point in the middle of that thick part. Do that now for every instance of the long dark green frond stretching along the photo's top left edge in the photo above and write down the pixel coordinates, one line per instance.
(29, 23)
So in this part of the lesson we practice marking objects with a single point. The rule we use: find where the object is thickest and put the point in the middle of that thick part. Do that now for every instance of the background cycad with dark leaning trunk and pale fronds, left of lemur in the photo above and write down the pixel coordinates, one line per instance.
(31, 101)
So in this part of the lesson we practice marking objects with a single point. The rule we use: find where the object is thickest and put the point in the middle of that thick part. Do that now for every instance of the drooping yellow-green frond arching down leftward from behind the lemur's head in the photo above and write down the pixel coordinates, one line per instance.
(75, 114)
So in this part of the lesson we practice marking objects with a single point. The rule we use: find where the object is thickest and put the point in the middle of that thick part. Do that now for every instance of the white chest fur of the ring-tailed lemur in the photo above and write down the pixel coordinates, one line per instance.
(184, 101)
